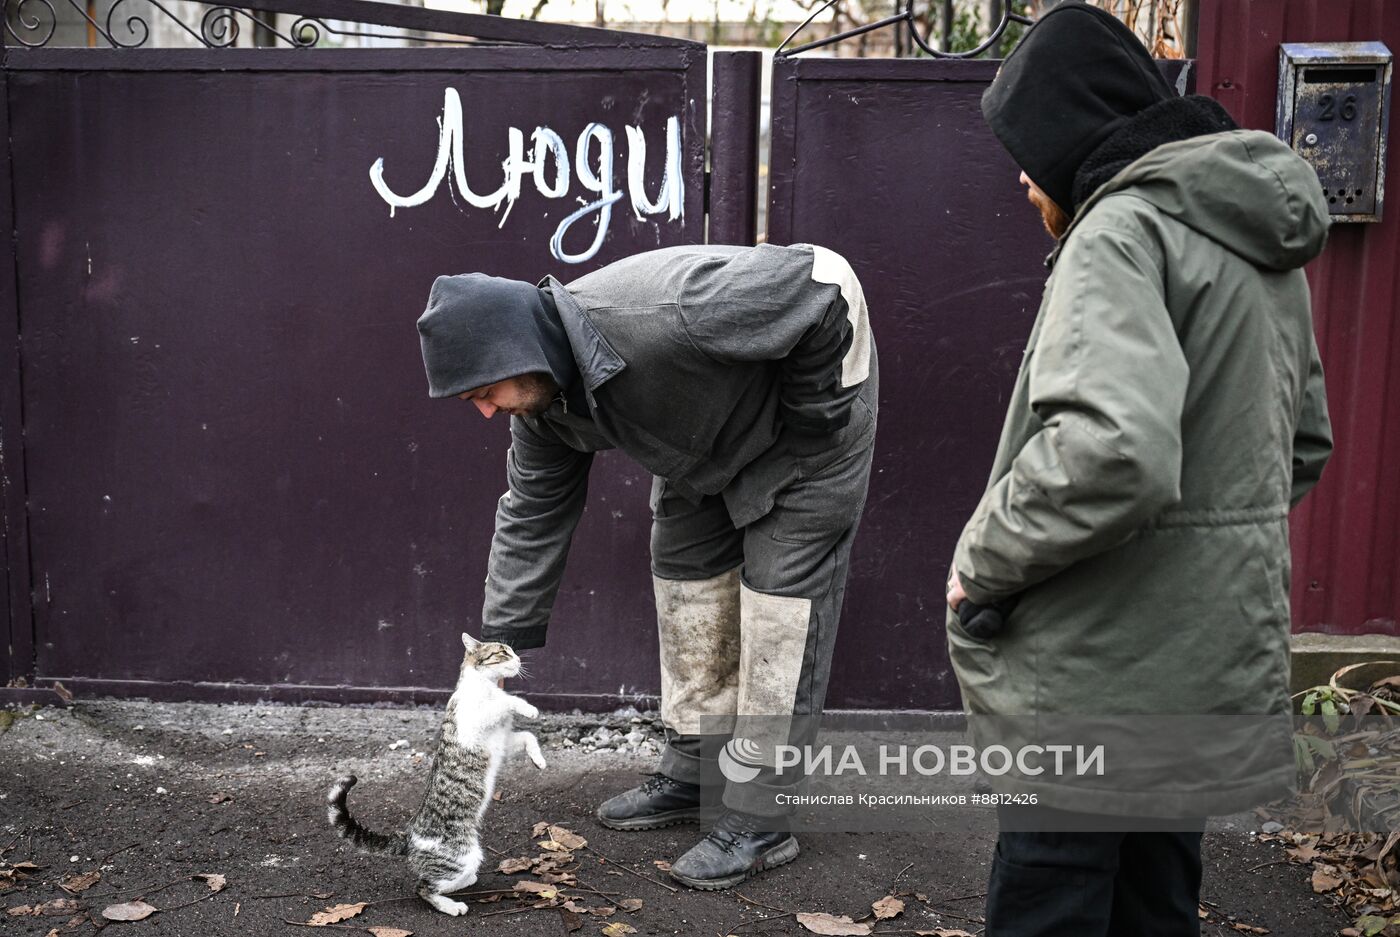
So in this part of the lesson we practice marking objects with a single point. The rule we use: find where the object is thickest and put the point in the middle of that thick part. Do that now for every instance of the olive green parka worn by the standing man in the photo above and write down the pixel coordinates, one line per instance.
(1168, 414)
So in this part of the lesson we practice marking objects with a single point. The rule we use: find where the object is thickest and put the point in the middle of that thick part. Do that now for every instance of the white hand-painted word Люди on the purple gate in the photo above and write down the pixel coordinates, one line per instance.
(549, 151)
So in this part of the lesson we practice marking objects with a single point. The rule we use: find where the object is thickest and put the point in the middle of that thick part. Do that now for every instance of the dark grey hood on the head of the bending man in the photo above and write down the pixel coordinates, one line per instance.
(479, 330)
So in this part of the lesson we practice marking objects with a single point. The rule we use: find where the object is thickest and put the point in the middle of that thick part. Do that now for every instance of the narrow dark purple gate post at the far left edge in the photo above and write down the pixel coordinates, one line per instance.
(19, 659)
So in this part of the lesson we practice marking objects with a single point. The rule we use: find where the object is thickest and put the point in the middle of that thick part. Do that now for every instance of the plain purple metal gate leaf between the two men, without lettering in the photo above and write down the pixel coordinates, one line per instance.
(890, 165)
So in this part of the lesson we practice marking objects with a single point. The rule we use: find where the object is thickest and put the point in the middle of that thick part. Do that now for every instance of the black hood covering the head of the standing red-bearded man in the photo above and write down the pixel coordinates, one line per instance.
(1074, 79)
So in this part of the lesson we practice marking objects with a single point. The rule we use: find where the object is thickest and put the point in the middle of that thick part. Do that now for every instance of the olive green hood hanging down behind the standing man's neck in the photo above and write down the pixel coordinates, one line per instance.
(1244, 190)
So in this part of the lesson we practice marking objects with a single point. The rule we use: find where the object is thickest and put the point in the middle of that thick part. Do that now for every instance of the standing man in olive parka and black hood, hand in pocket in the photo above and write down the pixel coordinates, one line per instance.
(1129, 561)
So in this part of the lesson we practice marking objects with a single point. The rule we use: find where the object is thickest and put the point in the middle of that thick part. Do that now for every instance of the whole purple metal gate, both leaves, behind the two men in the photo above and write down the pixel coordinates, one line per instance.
(222, 474)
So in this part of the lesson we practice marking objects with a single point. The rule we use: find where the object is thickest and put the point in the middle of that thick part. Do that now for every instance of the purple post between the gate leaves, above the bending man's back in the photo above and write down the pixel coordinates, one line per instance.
(734, 148)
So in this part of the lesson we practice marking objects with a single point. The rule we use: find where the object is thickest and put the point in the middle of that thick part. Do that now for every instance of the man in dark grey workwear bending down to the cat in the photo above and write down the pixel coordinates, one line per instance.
(745, 382)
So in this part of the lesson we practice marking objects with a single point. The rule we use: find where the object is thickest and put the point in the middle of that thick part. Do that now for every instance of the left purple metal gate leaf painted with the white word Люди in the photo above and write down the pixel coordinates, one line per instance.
(233, 481)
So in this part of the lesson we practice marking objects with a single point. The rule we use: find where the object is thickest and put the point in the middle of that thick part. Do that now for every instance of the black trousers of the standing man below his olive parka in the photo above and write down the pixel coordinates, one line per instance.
(1094, 884)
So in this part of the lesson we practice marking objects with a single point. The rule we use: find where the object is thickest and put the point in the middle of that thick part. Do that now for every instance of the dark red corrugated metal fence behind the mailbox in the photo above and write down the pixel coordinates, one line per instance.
(1346, 536)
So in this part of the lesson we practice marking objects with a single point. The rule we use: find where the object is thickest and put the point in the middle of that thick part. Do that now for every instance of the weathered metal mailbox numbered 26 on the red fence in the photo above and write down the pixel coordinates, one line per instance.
(1335, 111)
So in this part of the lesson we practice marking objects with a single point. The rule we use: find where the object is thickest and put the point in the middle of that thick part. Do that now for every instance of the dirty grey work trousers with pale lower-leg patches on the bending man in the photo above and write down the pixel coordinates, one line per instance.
(748, 620)
